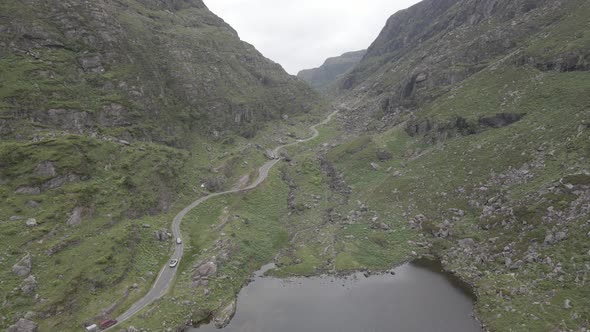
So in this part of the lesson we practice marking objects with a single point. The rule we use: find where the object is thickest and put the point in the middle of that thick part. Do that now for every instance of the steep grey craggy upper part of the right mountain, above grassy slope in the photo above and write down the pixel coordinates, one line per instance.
(426, 50)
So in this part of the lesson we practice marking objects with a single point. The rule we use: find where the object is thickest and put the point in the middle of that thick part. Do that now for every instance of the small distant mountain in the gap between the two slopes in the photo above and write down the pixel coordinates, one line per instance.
(321, 78)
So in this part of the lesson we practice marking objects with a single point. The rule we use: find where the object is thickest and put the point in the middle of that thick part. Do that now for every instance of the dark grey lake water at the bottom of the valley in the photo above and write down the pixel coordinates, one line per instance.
(417, 298)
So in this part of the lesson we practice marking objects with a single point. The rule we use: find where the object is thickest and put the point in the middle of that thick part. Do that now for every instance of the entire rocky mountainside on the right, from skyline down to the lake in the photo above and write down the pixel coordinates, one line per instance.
(471, 123)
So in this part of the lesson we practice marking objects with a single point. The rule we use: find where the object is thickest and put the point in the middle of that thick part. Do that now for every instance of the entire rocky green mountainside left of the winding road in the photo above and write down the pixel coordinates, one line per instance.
(112, 115)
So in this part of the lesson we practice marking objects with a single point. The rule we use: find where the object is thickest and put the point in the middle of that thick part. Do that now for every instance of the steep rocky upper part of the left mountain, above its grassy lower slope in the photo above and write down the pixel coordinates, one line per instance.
(148, 70)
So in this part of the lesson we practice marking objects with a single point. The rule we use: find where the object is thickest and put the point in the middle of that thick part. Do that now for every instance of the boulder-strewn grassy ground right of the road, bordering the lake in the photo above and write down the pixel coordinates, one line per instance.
(509, 218)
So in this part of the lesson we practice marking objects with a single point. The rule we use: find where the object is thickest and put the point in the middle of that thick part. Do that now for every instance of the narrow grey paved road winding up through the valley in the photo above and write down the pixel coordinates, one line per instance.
(166, 276)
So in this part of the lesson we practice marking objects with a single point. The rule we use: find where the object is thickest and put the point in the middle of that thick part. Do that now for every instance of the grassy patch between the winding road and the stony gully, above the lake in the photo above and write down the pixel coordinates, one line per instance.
(243, 232)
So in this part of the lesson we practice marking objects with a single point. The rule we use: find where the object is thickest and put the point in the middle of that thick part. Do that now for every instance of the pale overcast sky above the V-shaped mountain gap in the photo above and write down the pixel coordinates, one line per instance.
(302, 34)
